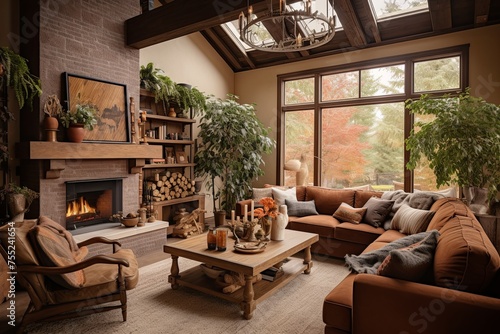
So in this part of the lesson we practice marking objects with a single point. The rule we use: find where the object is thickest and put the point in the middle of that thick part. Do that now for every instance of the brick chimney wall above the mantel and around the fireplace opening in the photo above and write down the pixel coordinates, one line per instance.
(87, 37)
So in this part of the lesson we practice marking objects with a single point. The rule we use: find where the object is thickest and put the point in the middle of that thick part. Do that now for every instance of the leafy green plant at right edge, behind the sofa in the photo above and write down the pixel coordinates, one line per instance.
(461, 143)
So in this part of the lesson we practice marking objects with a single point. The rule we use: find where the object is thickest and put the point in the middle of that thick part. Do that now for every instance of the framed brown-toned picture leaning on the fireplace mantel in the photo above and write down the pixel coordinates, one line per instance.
(113, 123)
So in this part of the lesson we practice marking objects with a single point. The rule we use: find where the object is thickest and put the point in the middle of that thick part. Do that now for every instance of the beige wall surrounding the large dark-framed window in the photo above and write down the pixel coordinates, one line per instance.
(260, 86)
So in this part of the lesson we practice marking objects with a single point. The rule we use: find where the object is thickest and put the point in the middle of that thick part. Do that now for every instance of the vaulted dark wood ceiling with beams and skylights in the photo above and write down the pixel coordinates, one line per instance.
(360, 28)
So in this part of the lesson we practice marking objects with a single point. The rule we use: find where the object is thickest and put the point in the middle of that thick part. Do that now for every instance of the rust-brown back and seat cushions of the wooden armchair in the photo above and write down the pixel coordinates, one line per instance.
(53, 251)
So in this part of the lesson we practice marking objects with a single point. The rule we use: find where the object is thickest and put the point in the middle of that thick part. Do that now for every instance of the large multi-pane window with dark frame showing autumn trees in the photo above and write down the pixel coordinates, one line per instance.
(348, 125)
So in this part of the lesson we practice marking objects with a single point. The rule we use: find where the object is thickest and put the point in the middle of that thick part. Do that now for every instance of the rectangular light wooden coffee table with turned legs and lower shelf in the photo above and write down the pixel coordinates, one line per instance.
(250, 265)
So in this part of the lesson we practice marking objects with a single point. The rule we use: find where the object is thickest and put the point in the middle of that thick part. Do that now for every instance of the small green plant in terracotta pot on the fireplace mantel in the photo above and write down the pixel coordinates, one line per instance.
(83, 116)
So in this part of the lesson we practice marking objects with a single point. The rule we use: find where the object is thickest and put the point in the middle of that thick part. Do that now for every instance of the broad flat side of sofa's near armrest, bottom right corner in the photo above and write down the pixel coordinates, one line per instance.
(386, 305)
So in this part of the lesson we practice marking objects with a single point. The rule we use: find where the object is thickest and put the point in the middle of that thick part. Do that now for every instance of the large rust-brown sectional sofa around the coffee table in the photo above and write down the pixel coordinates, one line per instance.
(460, 295)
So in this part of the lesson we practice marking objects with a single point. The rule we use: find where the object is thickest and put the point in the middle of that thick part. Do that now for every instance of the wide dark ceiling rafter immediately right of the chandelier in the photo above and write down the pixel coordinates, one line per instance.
(350, 23)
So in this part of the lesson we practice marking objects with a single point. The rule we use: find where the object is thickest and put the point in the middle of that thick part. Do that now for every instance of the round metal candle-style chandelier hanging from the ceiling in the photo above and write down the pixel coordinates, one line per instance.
(300, 29)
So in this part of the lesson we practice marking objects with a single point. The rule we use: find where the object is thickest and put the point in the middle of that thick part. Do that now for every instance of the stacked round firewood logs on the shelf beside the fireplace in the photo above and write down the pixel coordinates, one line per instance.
(171, 186)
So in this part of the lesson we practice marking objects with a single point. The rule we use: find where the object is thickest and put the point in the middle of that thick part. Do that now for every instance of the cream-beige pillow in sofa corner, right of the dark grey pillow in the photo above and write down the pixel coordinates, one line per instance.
(410, 221)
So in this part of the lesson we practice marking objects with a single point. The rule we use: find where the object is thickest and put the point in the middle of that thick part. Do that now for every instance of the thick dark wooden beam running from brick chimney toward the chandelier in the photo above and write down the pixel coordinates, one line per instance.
(180, 18)
